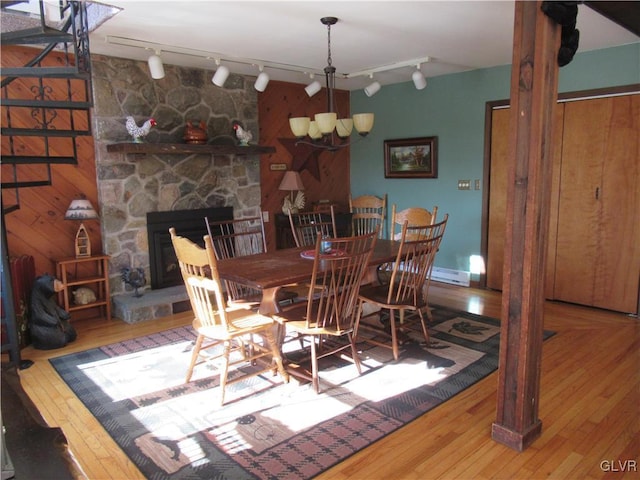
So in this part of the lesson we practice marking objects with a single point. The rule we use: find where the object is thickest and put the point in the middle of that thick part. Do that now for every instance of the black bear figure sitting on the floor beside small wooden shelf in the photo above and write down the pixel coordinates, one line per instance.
(48, 323)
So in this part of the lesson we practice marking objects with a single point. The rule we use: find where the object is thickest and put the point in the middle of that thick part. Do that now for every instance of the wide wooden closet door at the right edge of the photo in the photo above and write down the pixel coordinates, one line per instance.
(598, 247)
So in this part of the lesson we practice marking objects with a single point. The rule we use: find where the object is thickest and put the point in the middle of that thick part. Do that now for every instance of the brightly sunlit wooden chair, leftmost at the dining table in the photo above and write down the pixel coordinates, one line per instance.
(225, 335)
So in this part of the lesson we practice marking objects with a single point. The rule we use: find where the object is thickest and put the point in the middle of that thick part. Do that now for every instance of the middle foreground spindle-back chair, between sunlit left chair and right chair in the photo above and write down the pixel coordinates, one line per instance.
(325, 317)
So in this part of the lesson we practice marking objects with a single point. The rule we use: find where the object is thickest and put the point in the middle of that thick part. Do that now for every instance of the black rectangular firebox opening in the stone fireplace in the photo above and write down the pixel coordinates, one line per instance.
(189, 224)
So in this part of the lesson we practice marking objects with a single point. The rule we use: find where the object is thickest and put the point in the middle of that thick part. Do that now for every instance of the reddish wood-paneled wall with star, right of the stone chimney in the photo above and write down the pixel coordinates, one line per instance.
(280, 101)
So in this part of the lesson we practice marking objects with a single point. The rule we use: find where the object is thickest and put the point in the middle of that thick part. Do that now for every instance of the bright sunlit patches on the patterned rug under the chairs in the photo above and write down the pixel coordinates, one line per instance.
(270, 411)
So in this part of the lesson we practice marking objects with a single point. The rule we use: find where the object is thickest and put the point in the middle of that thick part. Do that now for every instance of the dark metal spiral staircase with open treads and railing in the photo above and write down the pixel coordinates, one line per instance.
(41, 130)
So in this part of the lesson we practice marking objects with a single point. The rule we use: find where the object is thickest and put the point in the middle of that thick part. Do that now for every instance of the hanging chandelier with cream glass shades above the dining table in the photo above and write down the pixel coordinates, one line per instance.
(322, 128)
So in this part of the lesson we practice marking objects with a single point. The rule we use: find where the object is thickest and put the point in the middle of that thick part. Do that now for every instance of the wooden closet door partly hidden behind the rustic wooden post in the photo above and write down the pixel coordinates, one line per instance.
(498, 198)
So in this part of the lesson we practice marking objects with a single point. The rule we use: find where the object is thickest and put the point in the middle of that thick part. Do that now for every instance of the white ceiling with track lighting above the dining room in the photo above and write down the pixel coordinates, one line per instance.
(456, 35)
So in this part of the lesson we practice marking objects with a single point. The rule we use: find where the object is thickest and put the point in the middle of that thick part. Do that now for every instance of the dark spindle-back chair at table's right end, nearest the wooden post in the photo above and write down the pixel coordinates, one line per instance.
(407, 289)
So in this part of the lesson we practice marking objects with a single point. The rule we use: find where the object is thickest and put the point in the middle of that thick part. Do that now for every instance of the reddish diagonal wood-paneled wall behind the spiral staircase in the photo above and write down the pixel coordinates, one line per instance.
(38, 227)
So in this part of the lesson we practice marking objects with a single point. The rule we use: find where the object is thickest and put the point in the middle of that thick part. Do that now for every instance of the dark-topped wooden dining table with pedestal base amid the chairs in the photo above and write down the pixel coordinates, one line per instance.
(271, 271)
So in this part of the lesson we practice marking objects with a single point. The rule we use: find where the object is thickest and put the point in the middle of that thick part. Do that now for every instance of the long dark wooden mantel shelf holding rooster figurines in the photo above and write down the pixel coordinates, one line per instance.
(179, 148)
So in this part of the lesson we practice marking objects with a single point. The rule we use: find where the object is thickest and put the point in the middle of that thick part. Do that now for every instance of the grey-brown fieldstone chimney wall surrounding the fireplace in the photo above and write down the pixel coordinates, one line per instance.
(131, 185)
